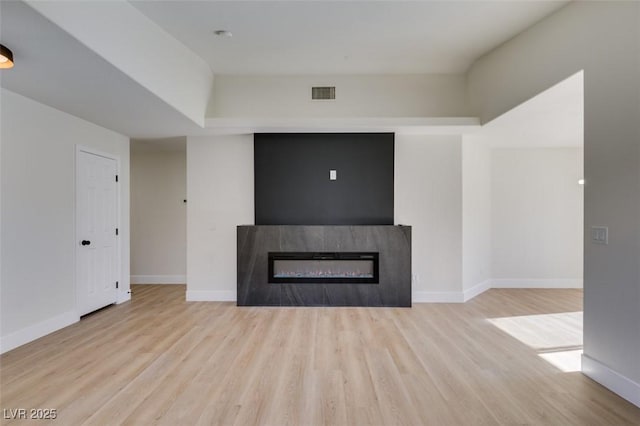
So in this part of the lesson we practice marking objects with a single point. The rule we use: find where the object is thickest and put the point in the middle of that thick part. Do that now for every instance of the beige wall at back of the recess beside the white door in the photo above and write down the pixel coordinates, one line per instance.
(158, 214)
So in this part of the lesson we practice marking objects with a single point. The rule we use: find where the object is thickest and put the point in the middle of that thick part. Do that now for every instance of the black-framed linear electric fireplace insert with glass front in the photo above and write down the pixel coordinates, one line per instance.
(309, 267)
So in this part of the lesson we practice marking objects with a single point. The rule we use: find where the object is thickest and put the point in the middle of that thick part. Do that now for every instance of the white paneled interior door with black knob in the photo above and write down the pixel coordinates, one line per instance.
(96, 229)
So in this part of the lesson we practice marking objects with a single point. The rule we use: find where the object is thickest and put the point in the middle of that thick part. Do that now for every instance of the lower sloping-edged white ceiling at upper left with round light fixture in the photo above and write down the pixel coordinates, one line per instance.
(55, 69)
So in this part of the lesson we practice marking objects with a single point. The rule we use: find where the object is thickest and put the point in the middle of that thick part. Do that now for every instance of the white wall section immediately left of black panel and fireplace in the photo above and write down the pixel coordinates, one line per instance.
(220, 197)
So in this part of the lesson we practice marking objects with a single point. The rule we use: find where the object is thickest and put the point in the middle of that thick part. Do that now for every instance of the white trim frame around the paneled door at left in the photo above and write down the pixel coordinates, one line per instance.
(89, 150)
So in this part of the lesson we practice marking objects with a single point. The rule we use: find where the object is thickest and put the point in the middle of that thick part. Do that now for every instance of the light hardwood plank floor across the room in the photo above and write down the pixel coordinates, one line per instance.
(159, 359)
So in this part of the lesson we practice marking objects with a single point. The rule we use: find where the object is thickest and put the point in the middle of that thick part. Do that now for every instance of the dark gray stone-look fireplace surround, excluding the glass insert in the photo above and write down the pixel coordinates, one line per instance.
(393, 243)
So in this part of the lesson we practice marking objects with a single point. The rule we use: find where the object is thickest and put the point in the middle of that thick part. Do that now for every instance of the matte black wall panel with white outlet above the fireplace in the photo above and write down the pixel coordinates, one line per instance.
(292, 185)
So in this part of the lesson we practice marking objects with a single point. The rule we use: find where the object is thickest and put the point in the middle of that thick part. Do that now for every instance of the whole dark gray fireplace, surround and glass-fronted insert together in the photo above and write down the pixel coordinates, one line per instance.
(302, 265)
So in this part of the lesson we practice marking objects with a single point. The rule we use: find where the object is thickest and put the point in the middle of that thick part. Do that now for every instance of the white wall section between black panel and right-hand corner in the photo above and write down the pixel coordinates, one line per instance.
(428, 196)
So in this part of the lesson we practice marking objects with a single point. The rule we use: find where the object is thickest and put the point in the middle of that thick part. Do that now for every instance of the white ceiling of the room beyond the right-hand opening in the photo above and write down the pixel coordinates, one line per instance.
(554, 118)
